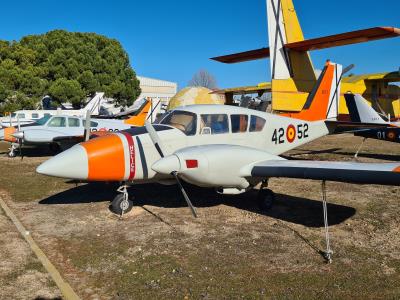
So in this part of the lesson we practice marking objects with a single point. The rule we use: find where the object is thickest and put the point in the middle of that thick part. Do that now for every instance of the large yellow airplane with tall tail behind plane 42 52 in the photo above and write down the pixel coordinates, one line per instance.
(293, 74)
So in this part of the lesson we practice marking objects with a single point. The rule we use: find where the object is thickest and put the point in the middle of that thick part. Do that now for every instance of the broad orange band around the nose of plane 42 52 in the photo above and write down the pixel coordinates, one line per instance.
(106, 160)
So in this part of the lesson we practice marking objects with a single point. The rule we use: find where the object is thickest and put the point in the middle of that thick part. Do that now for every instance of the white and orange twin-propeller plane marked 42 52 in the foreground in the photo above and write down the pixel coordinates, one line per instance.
(231, 149)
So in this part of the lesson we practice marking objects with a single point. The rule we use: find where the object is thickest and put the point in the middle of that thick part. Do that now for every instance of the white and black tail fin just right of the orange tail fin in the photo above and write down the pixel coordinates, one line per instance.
(360, 111)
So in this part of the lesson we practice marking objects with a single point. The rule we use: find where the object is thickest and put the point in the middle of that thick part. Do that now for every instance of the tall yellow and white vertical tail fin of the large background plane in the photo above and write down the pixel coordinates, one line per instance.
(292, 72)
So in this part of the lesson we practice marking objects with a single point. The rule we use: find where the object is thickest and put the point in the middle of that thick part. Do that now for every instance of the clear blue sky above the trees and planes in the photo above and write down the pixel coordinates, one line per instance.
(172, 40)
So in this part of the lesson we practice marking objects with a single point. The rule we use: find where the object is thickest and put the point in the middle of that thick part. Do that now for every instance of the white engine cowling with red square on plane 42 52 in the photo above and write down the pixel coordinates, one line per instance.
(212, 165)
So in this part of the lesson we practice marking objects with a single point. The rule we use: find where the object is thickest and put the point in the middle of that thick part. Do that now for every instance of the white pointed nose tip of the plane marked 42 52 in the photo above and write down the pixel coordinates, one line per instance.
(72, 164)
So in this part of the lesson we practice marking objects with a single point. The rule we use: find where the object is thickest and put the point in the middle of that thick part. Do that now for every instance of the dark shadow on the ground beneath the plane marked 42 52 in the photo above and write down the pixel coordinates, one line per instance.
(292, 209)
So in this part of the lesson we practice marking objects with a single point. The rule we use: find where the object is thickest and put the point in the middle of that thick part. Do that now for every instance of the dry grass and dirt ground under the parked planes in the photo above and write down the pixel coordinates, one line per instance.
(232, 251)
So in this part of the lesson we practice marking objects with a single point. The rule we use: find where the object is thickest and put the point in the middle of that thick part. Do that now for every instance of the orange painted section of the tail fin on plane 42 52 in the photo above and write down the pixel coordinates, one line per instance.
(319, 105)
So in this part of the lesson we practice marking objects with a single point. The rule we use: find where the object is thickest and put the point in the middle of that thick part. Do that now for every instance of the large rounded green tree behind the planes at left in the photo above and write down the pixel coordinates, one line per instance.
(66, 65)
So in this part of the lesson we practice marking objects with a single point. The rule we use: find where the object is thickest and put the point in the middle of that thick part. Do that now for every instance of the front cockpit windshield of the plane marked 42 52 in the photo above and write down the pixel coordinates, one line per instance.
(182, 120)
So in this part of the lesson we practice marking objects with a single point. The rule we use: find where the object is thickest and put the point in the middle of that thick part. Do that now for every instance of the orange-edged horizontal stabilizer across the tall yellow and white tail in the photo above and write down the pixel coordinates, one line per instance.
(348, 38)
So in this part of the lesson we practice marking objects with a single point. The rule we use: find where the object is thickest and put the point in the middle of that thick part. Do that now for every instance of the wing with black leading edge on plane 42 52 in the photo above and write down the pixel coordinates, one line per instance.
(352, 172)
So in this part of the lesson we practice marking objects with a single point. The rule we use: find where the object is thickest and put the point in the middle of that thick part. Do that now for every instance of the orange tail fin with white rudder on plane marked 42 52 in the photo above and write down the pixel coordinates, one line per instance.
(322, 103)
